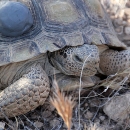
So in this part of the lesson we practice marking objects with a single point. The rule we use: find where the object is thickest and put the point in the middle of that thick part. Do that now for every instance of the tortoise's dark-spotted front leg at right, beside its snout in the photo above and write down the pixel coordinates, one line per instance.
(112, 61)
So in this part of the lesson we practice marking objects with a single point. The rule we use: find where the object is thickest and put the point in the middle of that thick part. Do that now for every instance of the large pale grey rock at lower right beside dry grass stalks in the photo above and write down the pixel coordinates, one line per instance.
(118, 108)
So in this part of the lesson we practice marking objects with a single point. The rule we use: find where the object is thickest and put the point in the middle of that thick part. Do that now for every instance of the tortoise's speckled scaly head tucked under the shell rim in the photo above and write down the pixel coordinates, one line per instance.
(71, 60)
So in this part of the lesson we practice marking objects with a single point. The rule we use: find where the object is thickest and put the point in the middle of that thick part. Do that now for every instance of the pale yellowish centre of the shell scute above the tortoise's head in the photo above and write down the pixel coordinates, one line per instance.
(61, 11)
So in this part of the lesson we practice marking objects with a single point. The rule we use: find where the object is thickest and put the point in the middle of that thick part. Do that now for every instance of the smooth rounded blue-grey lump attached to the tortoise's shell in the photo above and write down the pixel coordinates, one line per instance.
(15, 18)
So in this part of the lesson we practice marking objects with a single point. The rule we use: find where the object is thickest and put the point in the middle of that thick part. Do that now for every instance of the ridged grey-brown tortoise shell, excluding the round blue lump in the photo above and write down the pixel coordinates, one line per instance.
(56, 24)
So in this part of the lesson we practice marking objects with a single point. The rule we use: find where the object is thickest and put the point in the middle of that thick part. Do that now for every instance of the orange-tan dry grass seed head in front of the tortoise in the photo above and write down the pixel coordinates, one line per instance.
(63, 104)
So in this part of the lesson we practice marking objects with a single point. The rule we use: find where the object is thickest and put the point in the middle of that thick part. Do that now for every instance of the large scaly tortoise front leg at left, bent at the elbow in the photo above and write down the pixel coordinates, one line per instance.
(25, 94)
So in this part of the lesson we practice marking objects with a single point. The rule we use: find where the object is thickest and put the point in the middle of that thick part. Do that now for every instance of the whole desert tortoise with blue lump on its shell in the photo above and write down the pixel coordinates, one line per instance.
(67, 32)
